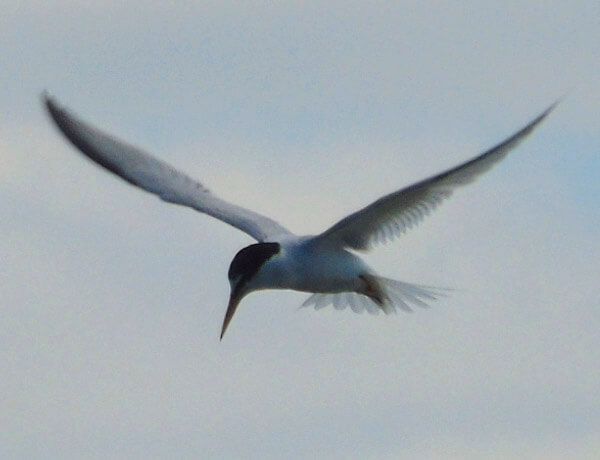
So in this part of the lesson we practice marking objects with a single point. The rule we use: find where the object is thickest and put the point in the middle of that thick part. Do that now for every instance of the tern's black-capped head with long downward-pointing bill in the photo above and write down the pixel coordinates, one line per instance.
(243, 269)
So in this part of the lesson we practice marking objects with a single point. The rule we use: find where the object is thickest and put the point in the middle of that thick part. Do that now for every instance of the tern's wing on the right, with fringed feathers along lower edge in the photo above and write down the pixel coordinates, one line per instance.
(393, 214)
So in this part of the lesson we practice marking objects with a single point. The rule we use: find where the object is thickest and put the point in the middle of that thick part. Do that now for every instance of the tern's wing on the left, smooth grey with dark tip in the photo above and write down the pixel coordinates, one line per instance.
(157, 177)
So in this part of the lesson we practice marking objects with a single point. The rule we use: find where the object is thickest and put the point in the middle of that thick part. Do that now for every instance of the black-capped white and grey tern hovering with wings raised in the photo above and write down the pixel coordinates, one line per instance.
(326, 265)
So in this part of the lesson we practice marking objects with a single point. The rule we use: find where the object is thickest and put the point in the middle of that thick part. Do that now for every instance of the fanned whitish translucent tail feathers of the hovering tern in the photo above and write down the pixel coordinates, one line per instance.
(397, 295)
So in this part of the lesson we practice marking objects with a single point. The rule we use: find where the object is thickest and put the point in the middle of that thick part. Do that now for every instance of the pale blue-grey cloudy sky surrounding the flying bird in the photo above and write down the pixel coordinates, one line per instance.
(111, 301)
